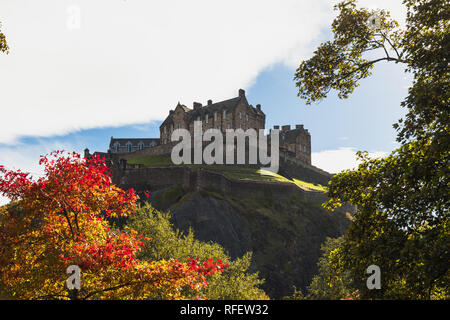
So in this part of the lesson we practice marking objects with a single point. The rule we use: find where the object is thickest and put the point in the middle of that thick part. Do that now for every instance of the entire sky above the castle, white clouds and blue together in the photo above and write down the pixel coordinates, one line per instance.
(79, 72)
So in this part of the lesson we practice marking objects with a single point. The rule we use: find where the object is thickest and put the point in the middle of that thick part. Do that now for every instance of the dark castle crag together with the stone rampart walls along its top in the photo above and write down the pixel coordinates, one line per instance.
(283, 225)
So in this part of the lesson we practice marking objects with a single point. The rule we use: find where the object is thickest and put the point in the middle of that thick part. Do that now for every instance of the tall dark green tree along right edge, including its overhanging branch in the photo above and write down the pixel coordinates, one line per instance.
(402, 221)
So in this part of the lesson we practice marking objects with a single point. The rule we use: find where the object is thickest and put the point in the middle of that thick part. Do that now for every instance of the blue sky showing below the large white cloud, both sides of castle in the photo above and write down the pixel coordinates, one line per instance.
(361, 122)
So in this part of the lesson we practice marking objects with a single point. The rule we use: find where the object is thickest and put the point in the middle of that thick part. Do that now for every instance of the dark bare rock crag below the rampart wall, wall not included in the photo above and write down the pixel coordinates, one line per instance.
(284, 236)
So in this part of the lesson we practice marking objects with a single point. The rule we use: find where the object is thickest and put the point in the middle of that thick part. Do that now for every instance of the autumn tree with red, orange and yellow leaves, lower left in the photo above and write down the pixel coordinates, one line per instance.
(60, 220)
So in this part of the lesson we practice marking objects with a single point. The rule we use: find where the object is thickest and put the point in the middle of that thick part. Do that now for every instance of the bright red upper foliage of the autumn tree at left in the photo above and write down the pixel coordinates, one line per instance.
(71, 186)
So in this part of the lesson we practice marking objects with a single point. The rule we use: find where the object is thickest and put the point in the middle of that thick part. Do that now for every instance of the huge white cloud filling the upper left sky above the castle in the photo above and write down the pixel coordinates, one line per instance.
(131, 61)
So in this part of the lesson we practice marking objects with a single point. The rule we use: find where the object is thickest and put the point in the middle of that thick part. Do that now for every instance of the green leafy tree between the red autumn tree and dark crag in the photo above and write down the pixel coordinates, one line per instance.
(168, 243)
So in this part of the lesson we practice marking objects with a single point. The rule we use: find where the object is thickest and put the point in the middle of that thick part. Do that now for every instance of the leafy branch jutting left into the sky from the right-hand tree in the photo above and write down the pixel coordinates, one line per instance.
(340, 63)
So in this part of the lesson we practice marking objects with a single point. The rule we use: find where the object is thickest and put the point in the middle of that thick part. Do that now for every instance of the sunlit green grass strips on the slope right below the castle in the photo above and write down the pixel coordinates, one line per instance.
(230, 171)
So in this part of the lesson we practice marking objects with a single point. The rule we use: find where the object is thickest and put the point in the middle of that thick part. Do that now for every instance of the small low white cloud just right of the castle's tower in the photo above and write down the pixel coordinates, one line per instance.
(340, 159)
